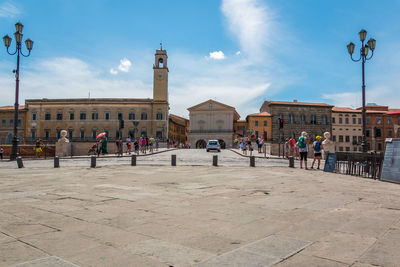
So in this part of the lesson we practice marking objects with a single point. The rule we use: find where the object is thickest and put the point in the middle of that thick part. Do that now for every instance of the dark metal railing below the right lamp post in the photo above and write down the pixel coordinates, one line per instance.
(368, 165)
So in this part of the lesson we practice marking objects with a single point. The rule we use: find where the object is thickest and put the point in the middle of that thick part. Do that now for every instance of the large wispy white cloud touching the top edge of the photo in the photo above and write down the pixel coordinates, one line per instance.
(250, 21)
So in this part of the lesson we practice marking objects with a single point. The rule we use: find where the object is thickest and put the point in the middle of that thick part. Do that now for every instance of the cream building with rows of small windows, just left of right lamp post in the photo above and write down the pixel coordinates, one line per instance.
(347, 129)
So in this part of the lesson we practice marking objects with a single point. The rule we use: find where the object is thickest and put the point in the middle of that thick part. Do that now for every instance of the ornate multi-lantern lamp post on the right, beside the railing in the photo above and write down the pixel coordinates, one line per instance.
(363, 57)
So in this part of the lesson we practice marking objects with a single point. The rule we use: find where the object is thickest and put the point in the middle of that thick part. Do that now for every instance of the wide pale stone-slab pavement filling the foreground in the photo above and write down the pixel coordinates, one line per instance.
(118, 215)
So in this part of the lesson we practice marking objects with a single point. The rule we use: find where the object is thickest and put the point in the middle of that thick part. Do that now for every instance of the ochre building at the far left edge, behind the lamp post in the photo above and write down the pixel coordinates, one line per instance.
(7, 124)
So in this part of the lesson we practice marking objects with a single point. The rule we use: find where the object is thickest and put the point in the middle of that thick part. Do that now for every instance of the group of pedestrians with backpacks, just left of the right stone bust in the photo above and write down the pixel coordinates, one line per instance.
(299, 149)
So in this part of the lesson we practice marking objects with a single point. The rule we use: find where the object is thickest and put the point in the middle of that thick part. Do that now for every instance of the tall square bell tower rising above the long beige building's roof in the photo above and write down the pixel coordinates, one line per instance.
(160, 79)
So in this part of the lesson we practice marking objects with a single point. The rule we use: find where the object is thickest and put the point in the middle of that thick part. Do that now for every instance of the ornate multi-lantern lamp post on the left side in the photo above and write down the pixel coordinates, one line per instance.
(29, 44)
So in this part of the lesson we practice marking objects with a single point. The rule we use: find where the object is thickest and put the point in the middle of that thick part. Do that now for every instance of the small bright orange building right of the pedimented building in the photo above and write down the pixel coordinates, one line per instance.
(259, 125)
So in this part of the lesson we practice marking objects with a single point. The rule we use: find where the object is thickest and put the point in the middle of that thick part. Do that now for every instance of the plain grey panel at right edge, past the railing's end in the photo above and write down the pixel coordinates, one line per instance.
(391, 162)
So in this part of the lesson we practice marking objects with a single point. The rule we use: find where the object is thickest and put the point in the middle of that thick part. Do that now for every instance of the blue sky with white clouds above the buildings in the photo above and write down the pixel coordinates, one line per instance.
(238, 52)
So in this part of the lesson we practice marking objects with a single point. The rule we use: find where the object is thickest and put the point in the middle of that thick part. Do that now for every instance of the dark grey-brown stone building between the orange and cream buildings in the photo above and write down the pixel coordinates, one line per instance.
(314, 118)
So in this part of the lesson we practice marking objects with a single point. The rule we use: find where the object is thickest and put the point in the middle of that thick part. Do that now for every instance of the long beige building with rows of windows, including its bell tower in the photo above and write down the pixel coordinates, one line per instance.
(86, 117)
